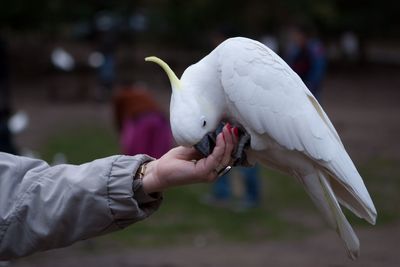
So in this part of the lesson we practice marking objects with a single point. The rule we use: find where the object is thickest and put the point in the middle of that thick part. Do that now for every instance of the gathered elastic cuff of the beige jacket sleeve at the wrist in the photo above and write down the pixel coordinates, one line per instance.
(128, 206)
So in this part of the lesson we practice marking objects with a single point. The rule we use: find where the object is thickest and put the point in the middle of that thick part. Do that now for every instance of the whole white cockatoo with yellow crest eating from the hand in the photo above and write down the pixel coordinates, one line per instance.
(245, 83)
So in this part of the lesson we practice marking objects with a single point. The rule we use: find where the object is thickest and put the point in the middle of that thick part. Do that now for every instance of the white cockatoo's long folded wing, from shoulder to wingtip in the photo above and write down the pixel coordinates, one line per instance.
(272, 100)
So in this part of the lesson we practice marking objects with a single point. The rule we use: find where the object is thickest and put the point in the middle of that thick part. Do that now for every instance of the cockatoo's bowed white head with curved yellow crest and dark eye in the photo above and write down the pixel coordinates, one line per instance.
(192, 115)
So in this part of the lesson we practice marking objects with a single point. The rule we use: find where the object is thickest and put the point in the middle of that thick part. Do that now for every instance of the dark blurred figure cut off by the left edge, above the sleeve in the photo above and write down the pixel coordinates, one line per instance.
(6, 140)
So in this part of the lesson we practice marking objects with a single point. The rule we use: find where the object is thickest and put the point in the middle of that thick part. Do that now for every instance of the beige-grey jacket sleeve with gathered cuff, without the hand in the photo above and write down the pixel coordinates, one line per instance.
(43, 207)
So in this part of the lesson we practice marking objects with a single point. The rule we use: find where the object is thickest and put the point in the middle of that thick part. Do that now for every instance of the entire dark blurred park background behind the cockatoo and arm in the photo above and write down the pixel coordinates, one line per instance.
(75, 87)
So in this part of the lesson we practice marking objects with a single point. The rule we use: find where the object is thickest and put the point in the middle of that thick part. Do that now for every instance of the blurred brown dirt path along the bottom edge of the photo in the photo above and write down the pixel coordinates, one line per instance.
(379, 247)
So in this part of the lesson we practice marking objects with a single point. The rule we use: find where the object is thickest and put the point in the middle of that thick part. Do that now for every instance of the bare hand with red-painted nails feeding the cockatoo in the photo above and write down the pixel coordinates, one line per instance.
(183, 165)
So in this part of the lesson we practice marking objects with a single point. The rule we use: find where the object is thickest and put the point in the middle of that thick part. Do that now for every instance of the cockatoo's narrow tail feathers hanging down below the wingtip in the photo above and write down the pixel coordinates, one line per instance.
(319, 188)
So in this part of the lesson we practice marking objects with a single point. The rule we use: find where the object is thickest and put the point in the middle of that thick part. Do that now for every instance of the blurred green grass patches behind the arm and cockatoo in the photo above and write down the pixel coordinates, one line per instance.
(286, 210)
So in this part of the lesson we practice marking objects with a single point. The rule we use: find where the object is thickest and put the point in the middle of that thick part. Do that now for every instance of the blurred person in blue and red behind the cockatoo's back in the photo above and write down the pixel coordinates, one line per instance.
(306, 55)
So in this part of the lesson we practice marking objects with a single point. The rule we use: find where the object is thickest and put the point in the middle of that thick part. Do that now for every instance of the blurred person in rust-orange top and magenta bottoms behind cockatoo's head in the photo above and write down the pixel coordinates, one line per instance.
(139, 117)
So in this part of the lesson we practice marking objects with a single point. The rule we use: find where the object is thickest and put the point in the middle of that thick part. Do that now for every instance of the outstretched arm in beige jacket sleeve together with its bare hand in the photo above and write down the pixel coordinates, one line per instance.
(43, 207)
